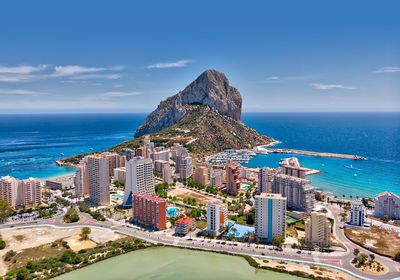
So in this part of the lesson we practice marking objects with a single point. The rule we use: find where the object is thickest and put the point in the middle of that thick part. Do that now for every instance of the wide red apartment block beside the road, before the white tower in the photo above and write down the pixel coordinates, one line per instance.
(149, 211)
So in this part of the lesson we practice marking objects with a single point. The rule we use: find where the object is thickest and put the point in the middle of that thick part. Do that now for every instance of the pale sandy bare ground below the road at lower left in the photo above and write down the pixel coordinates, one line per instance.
(20, 239)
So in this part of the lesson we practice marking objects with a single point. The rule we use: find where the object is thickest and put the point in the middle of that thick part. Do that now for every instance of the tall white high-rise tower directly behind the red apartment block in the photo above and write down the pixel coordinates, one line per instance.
(139, 178)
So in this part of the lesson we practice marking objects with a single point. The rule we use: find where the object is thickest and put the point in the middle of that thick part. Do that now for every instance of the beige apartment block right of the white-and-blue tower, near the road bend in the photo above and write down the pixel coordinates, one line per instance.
(318, 230)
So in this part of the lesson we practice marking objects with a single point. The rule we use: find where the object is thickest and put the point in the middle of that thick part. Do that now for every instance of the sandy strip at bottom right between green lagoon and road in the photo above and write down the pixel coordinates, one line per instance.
(317, 271)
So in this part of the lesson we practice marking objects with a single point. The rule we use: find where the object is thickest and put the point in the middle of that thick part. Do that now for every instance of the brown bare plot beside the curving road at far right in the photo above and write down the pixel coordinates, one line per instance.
(376, 239)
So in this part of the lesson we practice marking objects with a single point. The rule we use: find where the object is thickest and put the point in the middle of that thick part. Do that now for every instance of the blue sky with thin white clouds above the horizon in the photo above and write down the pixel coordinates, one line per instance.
(127, 56)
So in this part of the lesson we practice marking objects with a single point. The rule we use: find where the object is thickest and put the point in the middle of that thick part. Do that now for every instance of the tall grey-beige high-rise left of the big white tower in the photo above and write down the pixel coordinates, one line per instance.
(98, 179)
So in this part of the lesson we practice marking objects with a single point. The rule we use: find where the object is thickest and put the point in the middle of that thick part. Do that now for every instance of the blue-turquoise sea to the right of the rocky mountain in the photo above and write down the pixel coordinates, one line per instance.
(375, 136)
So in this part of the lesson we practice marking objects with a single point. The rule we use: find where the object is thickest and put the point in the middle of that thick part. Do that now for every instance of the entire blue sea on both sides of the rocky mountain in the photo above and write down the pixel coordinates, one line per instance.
(31, 143)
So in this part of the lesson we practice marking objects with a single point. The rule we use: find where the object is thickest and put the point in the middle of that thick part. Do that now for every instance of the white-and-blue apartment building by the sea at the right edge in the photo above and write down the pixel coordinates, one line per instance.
(387, 205)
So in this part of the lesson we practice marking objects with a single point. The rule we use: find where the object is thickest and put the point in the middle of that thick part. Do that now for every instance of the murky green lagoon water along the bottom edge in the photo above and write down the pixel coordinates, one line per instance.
(173, 264)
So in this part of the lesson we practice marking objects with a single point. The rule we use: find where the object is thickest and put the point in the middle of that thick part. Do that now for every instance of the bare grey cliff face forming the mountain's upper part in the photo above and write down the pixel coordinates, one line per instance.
(211, 88)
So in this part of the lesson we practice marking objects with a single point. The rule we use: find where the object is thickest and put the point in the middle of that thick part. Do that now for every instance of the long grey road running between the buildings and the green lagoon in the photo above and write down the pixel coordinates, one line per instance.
(336, 260)
